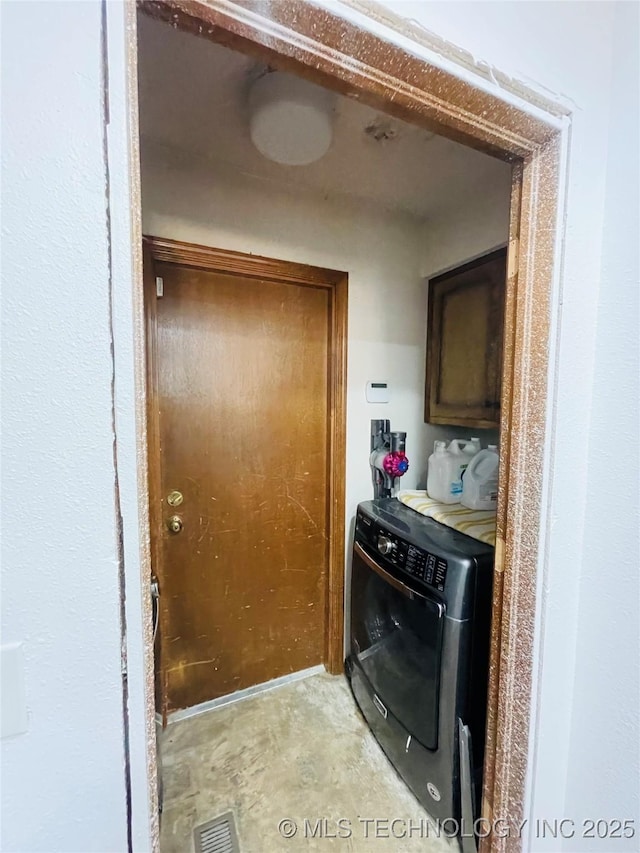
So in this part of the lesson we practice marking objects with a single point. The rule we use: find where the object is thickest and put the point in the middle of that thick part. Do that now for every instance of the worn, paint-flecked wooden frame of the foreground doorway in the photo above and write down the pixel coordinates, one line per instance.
(512, 122)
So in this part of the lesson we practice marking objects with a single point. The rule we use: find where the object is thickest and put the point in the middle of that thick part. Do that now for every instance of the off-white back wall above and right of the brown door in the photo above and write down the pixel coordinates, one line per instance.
(189, 199)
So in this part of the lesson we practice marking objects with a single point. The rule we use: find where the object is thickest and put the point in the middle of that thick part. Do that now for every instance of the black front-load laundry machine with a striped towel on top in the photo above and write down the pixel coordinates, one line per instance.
(419, 651)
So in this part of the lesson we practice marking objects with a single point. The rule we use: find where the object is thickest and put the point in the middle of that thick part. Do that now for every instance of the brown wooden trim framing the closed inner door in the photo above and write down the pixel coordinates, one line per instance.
(157, 249)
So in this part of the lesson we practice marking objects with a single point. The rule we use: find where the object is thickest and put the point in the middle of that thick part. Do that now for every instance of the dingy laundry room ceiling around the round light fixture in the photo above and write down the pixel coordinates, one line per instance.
(193, 97)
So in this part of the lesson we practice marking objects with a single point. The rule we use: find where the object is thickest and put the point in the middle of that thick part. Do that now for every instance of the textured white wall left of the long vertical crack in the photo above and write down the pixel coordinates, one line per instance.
(63, 781)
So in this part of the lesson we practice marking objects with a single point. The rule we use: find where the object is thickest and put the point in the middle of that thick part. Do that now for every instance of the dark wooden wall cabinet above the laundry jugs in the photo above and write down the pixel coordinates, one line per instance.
(464, 343)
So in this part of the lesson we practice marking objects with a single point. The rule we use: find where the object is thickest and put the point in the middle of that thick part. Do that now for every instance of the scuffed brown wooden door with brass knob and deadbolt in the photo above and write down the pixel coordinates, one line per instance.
(241, 372)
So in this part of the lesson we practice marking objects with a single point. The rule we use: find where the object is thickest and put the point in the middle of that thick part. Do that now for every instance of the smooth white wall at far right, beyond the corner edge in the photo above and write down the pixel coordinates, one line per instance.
(604, 767)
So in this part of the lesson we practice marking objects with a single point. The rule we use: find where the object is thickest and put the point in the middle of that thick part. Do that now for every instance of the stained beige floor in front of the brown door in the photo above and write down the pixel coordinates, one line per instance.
(297, 760)
